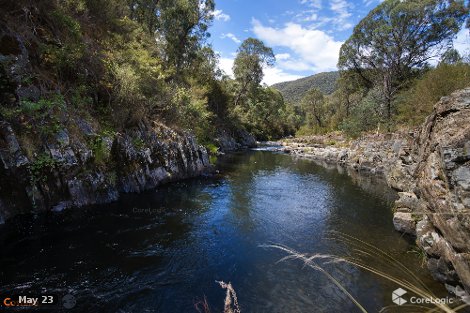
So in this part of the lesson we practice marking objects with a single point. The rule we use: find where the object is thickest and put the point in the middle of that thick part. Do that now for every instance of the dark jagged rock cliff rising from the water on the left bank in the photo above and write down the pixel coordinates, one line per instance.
(85, 167)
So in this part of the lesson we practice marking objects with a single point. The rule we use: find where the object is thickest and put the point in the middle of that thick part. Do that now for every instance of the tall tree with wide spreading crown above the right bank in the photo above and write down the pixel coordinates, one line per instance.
(397, 37)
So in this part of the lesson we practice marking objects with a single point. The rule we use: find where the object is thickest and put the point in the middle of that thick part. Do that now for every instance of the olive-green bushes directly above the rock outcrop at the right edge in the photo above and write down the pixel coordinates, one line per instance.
(417, 102)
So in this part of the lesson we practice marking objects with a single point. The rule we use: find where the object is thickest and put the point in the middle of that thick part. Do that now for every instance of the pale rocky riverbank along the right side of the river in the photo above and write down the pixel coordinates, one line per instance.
(430, 168)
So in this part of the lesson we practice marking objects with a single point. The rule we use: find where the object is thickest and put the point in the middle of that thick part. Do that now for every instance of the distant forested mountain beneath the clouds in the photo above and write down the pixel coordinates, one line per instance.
(293, 91)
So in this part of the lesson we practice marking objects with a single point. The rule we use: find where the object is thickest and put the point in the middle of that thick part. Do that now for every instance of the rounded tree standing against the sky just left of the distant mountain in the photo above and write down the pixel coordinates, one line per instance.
(252, 55)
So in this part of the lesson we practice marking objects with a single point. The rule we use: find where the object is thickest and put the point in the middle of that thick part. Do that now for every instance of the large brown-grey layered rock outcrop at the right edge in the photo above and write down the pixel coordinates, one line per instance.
(443, 178)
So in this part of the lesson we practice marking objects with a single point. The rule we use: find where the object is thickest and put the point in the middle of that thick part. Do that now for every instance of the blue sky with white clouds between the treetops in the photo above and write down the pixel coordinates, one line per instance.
(306, 35)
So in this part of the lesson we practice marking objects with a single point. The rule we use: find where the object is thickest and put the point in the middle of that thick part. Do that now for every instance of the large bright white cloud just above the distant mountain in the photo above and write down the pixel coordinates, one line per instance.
(315, 49)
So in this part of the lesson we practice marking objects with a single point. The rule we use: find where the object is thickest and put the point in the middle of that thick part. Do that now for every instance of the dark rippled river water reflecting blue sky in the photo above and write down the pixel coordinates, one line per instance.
(162, 251)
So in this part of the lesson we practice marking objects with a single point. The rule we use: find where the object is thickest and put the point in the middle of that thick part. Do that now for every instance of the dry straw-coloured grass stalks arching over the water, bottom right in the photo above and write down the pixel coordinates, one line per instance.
(372, 259)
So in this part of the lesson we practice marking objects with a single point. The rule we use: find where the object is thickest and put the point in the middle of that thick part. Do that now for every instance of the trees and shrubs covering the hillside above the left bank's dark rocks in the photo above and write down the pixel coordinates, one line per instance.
(117, 64)
